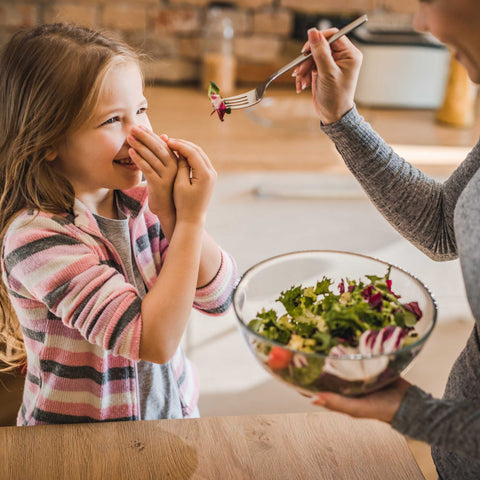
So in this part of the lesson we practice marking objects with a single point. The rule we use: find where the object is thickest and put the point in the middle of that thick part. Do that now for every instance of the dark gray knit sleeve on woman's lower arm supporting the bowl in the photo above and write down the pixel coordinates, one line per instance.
(451, 425)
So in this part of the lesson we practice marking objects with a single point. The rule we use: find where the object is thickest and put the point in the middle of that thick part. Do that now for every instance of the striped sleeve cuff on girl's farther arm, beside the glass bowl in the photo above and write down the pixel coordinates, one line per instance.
(215, 298)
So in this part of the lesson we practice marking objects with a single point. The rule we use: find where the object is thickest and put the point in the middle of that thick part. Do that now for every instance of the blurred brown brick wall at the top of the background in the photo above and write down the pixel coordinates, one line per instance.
(169, 31)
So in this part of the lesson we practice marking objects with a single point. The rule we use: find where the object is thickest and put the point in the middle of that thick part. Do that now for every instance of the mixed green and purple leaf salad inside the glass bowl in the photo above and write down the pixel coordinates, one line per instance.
(360, 318)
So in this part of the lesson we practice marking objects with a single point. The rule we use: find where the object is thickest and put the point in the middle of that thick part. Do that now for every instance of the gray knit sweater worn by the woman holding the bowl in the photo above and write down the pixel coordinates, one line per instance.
(443, 221)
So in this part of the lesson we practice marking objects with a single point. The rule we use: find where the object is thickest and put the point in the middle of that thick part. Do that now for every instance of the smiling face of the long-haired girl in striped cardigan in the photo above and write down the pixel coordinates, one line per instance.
(95, 157)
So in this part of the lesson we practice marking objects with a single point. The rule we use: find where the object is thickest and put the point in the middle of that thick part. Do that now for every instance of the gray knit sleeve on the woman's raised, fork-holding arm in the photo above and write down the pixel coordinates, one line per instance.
(419, 207)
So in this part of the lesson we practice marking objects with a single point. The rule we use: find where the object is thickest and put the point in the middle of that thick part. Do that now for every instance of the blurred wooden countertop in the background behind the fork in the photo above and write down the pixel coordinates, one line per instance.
(295, 142)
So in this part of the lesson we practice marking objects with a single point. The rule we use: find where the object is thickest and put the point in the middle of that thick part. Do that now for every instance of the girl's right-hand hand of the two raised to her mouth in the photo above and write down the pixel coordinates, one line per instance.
(194, 182)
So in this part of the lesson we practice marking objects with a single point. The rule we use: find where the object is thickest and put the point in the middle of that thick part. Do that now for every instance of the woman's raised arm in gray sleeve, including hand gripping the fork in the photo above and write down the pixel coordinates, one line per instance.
(419, 207)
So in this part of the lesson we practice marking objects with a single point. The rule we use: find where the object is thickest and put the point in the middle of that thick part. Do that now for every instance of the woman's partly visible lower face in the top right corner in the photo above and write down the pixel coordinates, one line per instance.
(457, 24)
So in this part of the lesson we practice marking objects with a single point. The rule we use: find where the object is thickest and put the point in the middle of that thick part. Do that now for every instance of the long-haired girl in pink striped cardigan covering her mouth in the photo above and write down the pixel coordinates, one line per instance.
(99, 271)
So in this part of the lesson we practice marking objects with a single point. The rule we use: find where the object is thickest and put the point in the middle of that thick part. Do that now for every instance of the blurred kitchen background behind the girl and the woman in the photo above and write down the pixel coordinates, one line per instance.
(282, 186)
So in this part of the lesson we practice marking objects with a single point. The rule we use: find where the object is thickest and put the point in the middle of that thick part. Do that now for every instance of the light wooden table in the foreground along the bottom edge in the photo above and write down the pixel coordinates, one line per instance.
(301, 446)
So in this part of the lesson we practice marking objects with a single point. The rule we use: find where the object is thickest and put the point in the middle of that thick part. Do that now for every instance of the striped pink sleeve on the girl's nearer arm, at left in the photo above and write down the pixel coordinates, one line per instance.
(46, 265)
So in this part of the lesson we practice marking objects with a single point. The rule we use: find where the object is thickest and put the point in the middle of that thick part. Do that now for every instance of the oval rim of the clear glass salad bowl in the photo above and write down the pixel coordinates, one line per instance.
(356, 356)
